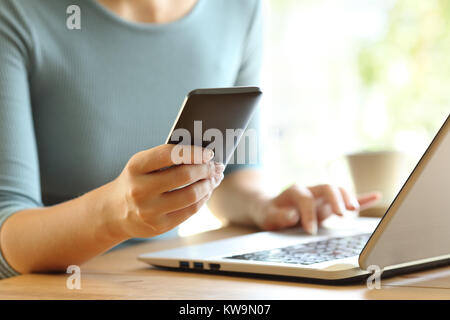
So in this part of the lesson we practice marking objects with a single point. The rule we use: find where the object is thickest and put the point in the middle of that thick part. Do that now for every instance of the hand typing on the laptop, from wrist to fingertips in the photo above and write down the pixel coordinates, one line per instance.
(308, 206)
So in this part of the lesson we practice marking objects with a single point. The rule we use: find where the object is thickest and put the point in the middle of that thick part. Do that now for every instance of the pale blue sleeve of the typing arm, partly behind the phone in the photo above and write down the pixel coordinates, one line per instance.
(249, 75)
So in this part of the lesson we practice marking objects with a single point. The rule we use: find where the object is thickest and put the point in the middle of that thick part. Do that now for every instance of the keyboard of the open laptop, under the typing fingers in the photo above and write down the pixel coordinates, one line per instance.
(311, 252)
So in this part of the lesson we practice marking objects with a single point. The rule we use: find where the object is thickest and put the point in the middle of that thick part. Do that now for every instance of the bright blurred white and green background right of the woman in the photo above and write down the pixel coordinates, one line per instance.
(344, 76)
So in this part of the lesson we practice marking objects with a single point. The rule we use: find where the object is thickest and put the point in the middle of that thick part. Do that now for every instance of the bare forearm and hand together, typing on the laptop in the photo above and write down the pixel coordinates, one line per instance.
(241, 199)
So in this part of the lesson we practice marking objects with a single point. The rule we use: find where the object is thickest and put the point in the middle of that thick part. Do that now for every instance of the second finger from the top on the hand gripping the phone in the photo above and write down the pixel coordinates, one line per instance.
(182, 175)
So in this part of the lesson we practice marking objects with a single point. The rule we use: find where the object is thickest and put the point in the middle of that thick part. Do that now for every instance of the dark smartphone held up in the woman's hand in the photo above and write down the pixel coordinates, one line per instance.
(215, 118)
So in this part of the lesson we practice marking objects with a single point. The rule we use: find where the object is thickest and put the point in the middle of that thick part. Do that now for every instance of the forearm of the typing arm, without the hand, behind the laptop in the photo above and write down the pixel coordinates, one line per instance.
(239, 197)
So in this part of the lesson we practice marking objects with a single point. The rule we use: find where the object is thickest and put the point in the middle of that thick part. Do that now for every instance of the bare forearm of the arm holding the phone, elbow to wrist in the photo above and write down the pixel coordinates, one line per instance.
(53, 238)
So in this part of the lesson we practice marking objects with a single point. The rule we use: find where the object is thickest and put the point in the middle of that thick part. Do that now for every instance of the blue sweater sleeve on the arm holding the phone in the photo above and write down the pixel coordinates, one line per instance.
(19, 168)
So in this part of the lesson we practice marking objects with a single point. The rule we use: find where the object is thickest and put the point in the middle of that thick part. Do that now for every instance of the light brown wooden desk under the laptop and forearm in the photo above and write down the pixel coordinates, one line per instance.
(118, 275)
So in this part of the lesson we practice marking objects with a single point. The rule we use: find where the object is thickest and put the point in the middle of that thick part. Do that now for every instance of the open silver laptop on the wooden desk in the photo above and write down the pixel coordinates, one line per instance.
(413, 234)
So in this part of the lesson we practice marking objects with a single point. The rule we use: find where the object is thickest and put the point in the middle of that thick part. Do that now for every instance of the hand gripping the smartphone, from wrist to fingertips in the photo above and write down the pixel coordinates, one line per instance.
(155, 193)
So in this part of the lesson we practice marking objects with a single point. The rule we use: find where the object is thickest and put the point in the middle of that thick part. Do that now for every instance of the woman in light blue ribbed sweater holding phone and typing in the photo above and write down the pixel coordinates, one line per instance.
(83, 112)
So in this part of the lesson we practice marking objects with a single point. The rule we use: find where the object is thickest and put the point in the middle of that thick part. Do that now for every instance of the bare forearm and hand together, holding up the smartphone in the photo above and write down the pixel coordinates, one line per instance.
(141, 202)
